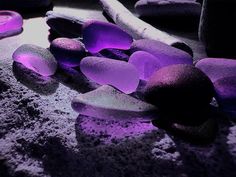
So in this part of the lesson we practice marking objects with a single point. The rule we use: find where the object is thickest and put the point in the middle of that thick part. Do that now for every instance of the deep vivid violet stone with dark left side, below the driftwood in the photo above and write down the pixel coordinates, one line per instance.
(99, 35)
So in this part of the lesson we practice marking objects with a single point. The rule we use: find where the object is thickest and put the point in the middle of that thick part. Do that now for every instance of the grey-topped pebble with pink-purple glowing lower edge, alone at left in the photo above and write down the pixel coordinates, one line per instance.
(38, 59)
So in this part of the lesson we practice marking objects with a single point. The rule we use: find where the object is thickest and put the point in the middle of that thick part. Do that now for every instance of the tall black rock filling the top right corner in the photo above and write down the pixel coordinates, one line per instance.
(217, 28)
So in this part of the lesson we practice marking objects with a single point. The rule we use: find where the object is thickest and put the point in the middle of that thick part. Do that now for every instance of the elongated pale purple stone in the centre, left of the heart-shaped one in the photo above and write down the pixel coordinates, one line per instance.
(119, 74)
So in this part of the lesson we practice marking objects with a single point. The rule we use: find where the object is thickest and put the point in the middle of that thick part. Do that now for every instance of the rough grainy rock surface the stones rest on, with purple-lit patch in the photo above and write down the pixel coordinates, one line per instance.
(41, 136)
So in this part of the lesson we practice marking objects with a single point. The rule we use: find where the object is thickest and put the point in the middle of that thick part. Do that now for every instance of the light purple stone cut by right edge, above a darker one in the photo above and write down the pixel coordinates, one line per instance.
(217, 68)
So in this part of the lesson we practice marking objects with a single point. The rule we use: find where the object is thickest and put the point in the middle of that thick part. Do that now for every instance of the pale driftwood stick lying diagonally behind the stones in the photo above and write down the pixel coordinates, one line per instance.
(138, 28)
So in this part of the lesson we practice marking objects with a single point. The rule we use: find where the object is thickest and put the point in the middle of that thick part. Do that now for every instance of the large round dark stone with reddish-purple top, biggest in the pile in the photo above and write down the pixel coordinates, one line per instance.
(179, 90)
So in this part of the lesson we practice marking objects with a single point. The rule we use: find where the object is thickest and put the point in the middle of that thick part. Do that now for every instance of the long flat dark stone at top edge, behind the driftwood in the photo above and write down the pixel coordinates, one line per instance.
(163, 8)
